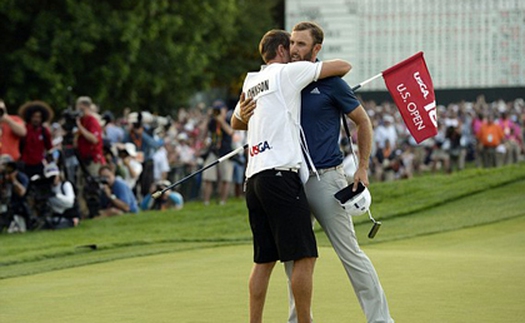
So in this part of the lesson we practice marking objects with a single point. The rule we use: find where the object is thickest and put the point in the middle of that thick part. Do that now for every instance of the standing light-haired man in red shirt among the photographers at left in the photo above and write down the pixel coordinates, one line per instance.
(89, 146)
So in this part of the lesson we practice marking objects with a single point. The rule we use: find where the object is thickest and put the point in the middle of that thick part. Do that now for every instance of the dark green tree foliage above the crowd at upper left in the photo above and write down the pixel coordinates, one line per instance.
(143, 54)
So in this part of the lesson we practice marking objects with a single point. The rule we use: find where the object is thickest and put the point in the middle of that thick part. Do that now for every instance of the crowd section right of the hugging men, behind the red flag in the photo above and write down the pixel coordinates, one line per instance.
(486, 134)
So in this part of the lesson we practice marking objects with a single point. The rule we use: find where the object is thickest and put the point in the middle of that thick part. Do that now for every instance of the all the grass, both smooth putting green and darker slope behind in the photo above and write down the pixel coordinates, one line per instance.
(450, 250)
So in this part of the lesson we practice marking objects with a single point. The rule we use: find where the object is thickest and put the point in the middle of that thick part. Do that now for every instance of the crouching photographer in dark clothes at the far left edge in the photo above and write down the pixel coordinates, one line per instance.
(13, 188)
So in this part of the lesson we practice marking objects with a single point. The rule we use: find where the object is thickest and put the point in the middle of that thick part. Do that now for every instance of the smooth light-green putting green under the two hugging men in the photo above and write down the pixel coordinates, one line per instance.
(470, 275)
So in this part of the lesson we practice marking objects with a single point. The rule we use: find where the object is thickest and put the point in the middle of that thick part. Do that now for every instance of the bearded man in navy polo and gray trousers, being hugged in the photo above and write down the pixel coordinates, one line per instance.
(322, 104)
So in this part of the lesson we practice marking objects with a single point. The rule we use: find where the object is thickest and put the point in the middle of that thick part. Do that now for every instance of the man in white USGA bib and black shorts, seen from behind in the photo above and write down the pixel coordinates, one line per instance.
(278, 211)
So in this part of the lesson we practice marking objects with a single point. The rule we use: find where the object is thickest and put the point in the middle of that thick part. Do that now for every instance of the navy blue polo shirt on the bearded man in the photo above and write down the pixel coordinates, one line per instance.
(322, 103)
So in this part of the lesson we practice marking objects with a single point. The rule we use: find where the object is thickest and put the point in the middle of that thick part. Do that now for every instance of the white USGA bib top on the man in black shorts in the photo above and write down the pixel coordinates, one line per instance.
(273, 130)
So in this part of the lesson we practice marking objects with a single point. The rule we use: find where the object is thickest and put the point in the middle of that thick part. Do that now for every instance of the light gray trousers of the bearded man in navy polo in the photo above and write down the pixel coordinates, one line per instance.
(339, 228)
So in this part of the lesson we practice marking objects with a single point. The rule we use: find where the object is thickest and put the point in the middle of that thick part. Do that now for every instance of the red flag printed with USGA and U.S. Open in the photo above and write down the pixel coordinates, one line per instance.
(410, 86)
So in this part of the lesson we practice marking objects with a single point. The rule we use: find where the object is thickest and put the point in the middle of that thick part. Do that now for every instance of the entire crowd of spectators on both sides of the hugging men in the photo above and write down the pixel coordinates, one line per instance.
(58, 169)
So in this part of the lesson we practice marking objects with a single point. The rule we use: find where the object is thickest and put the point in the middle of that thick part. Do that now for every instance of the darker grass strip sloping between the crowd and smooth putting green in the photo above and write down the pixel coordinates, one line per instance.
(197, 226)
